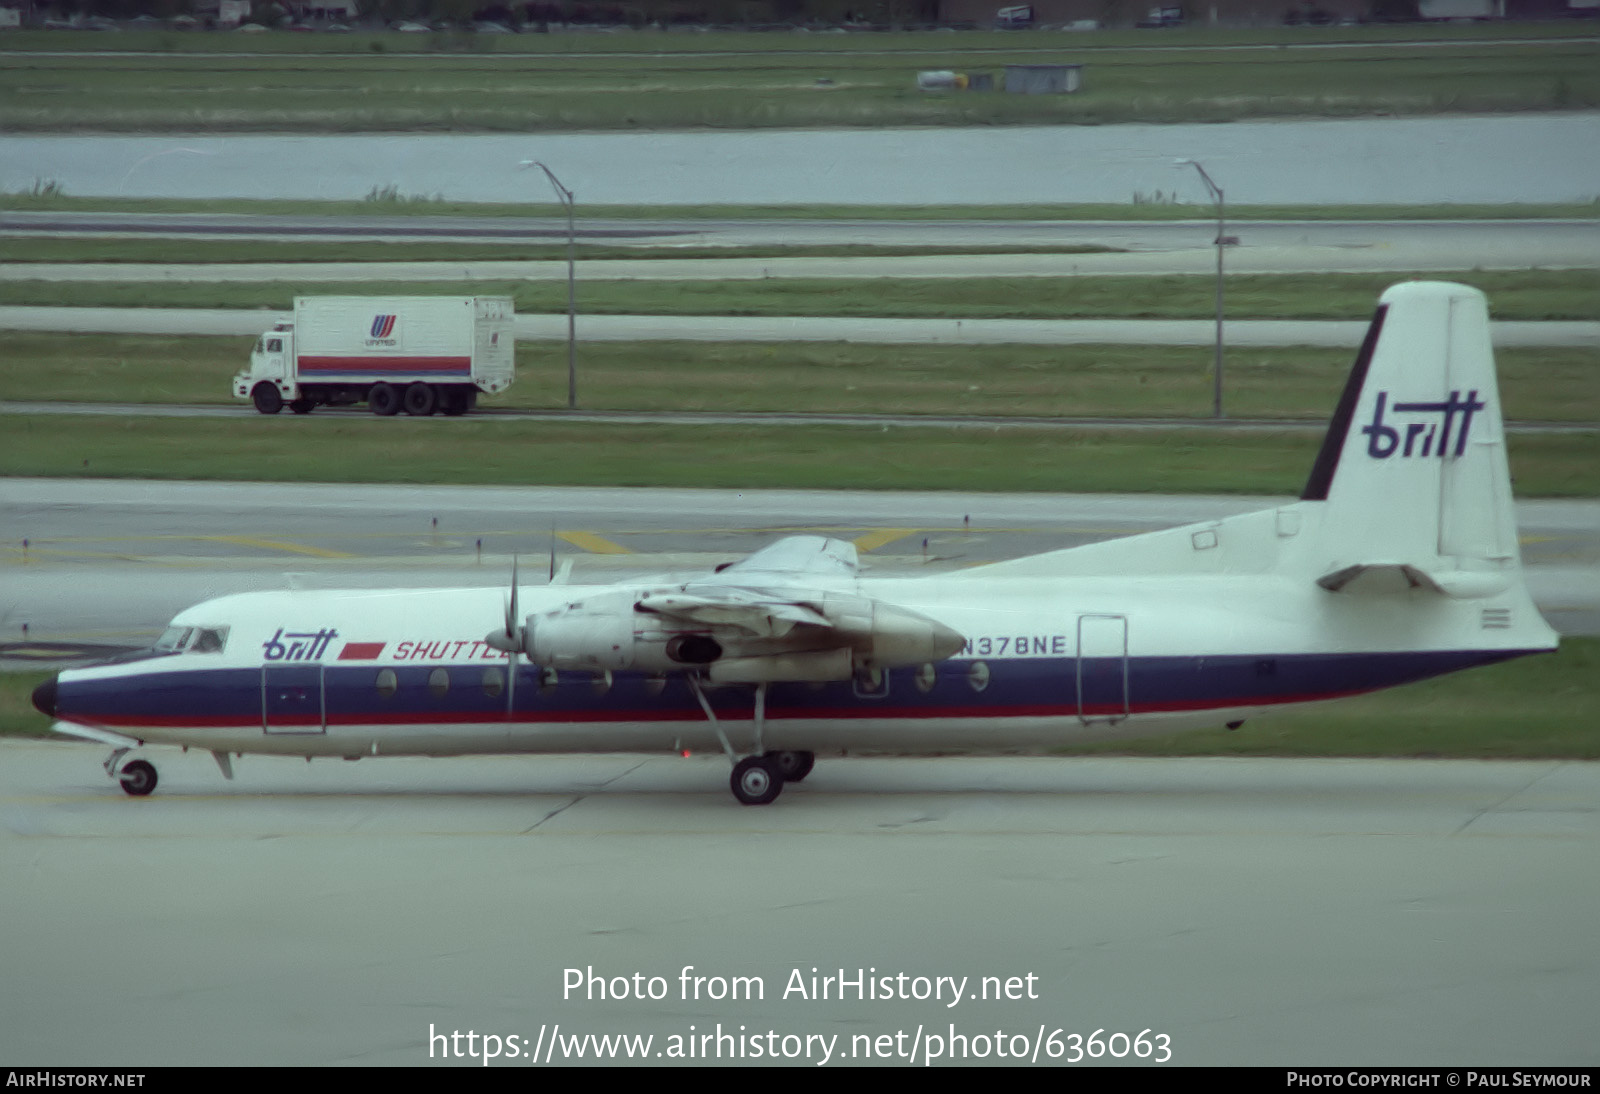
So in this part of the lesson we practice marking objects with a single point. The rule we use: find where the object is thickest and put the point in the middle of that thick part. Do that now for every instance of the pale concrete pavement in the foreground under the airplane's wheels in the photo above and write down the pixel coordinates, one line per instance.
(1255, 912)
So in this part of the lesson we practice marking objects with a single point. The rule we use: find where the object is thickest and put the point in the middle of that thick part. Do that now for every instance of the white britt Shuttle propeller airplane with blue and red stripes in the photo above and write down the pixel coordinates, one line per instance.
(1398, 564)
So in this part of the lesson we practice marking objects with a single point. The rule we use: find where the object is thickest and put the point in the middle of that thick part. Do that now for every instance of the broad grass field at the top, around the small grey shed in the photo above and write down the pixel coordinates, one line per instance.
(823, 86)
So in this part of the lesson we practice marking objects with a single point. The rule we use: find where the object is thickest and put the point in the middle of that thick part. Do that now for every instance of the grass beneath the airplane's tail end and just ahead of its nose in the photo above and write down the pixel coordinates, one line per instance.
(1530, 709)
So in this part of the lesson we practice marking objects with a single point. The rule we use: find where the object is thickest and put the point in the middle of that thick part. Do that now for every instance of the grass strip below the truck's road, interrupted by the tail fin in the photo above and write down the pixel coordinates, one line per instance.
(482, 450)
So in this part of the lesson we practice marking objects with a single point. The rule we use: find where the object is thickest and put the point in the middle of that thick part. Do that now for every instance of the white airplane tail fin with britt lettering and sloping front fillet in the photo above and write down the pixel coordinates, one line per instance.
(1410, 492)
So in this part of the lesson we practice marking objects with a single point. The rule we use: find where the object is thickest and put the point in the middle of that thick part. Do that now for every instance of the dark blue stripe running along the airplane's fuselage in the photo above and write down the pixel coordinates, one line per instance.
(1031, 687)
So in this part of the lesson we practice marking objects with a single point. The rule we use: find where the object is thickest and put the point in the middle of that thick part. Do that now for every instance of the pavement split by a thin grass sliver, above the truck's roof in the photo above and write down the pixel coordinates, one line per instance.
(1265, 247)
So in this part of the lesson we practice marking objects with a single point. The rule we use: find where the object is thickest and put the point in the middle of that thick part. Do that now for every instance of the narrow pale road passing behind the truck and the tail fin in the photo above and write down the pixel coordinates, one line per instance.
(746, 329)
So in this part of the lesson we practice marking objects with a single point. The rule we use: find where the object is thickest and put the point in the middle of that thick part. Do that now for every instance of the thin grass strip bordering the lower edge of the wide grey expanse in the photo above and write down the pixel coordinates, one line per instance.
(49, 199)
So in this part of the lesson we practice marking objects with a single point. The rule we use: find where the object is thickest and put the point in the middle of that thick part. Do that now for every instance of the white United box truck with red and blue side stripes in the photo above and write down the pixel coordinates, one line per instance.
(418, 354)
